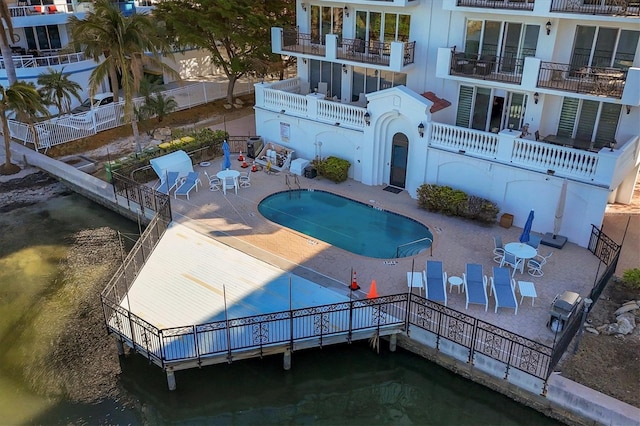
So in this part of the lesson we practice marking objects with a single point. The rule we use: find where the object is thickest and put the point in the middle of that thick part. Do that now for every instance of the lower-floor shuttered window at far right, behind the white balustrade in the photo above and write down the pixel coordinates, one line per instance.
(594, 121)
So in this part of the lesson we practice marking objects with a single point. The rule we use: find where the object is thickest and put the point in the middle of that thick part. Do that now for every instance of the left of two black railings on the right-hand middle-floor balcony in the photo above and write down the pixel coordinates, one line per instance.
(487, 67)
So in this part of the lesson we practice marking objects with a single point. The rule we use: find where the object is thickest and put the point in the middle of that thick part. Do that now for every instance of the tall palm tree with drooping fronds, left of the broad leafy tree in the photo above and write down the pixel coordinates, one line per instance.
(124, 43)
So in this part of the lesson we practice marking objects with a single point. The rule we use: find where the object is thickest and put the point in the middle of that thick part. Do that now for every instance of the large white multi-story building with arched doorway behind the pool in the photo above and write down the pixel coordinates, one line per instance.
(503, 99)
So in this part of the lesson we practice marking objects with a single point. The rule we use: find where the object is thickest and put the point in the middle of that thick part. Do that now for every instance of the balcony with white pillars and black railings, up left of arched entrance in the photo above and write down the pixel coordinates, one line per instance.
(393, 55)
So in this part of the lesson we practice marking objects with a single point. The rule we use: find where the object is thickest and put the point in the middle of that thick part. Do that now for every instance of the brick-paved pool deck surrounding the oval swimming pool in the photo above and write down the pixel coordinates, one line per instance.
(235, 221)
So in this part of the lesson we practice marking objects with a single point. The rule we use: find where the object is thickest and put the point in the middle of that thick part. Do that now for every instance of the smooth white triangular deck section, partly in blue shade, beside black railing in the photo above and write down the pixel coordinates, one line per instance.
(182, 283)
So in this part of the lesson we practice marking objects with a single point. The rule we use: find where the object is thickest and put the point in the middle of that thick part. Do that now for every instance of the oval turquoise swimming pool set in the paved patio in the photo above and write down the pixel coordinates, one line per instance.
(348, 224)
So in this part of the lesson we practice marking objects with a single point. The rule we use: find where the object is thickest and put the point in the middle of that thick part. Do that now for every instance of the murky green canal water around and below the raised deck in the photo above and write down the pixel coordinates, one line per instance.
(350, 384)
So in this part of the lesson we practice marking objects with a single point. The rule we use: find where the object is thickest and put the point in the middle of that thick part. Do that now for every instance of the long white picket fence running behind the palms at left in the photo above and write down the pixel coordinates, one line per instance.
(68, 128)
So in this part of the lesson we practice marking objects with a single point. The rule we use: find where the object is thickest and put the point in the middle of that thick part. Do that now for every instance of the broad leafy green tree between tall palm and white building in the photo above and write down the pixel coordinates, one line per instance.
(237, 33)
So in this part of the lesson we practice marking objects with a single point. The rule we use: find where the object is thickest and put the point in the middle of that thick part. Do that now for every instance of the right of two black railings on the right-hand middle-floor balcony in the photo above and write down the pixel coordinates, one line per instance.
(597, 81)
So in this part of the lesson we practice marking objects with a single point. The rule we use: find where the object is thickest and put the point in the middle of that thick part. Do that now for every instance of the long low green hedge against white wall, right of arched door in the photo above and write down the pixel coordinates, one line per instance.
(454, 202)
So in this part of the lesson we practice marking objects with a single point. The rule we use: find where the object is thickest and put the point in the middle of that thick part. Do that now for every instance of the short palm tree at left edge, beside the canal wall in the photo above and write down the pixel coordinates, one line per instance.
(21, 98)
